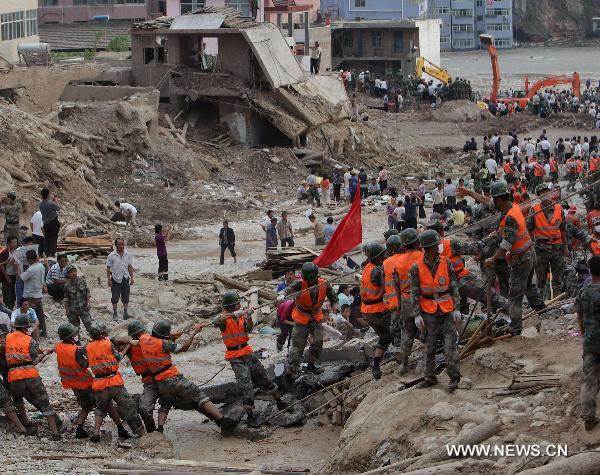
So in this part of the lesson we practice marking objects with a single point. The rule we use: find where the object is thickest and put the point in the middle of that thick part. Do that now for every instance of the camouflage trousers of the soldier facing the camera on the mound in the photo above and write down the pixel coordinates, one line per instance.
(441, 327)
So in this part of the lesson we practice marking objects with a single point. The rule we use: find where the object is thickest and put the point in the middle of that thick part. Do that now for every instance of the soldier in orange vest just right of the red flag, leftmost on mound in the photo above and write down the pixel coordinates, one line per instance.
(373, 307)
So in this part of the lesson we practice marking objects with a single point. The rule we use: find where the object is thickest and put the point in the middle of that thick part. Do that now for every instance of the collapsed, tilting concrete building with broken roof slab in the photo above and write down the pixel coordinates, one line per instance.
(226, 68)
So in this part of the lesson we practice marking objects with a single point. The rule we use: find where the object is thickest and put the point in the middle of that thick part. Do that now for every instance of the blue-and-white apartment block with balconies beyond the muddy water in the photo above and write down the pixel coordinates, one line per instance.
(464, 20)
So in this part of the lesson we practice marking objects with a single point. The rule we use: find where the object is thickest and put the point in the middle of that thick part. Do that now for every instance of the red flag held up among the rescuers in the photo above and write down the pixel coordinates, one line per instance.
(346, 237)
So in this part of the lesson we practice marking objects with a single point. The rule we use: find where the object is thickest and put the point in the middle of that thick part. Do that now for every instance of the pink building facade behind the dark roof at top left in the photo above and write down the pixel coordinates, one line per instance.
(81, 11)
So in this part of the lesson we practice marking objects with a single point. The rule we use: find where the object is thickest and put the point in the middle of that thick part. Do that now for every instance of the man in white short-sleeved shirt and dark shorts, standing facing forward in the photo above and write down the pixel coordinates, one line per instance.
(119, 272)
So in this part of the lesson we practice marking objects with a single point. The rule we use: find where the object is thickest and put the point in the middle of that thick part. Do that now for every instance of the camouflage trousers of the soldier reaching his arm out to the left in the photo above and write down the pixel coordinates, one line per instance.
(521, 285)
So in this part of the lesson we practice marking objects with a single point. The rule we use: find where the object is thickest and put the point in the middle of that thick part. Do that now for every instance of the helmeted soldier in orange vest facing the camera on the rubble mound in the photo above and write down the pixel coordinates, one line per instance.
(435, 301)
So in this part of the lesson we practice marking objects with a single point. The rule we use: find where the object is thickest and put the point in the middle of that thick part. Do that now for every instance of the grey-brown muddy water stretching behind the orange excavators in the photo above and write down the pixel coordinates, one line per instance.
(516, 64)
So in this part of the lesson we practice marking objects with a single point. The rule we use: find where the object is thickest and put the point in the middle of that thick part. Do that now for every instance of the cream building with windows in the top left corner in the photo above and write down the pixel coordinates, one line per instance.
(18, 24)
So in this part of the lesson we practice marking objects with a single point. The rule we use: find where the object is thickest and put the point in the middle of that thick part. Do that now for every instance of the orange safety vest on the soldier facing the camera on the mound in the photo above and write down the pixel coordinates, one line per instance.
(435, 290)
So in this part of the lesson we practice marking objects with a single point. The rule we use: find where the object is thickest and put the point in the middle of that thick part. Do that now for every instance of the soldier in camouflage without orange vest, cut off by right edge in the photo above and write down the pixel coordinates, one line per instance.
(587, 304)
